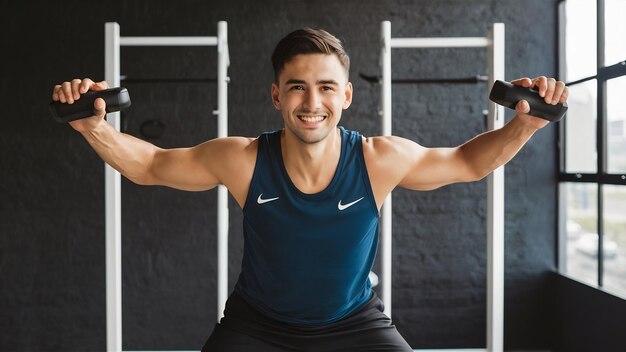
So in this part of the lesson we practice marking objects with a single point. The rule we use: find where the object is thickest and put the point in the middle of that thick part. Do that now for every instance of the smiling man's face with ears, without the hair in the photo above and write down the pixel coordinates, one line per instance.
(312, 91)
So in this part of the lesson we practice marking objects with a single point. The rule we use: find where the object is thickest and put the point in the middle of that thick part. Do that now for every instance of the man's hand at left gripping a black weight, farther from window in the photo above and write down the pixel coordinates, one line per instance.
(68, 92)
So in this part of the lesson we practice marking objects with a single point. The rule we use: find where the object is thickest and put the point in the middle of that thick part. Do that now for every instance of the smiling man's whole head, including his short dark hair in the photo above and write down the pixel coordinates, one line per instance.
(311, 85)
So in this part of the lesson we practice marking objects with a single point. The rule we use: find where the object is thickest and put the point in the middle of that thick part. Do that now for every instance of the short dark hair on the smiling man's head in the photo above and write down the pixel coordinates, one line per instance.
(307, 41)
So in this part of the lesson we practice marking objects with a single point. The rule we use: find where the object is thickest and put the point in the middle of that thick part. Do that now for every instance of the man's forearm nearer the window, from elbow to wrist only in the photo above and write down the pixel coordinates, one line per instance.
(489, 150)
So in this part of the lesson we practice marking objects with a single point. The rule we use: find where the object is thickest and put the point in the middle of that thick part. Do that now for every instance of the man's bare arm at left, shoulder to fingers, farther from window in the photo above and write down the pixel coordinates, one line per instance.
(202, 167)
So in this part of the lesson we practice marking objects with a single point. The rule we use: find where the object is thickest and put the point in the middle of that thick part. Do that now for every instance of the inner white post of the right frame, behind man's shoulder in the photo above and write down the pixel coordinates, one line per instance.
(385, 218)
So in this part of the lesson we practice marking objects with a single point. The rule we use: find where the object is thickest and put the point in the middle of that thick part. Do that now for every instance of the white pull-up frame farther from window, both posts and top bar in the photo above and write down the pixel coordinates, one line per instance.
(113, 193)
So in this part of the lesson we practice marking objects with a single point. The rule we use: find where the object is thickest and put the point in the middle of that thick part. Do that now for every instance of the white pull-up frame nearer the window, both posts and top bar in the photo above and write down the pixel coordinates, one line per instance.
(494, 43)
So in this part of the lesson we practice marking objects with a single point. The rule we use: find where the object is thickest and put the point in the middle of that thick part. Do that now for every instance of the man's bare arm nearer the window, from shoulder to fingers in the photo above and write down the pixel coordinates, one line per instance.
(395, 161)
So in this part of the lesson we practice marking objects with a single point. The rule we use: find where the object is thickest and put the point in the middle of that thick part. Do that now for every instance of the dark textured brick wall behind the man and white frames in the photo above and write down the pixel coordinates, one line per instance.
(52, 194)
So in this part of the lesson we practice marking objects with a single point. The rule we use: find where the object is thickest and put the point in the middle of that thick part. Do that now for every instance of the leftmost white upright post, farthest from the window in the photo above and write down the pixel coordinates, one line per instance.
(113, 204)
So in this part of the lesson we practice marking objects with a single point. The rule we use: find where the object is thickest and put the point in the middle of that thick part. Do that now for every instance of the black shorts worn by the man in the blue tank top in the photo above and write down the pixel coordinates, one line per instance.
(244, 329)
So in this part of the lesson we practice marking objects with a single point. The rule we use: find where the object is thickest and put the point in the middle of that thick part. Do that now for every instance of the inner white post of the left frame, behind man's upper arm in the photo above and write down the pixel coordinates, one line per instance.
(222, 194)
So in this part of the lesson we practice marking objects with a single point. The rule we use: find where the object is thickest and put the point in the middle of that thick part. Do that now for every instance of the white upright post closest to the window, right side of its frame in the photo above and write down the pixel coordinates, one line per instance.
(495, 206)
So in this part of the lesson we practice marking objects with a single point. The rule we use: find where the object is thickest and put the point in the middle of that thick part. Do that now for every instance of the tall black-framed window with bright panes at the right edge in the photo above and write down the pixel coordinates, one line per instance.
(592, 180)
